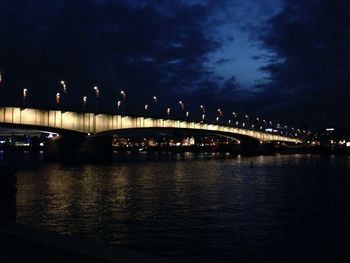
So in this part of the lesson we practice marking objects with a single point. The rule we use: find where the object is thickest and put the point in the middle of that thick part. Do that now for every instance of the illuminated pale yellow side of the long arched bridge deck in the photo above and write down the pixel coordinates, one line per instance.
(98, 123)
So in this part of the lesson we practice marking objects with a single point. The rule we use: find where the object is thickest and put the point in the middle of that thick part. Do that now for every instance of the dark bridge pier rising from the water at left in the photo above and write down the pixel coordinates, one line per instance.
(79, 147)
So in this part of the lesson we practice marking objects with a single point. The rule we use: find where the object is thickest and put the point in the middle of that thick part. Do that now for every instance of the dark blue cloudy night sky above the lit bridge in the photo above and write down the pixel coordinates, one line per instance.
(287, 61)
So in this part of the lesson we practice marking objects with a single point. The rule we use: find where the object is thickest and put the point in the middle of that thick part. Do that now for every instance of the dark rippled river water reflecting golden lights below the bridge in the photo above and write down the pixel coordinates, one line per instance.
(287, 208)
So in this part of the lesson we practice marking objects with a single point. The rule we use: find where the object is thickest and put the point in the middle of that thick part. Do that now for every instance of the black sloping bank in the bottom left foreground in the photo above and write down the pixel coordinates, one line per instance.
(21, 243)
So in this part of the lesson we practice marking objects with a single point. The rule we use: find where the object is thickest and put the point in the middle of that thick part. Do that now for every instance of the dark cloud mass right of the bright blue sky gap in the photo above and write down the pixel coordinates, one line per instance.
(310, 77)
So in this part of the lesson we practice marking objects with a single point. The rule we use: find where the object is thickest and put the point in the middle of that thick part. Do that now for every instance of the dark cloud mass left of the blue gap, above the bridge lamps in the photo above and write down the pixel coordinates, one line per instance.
(143, 48)
